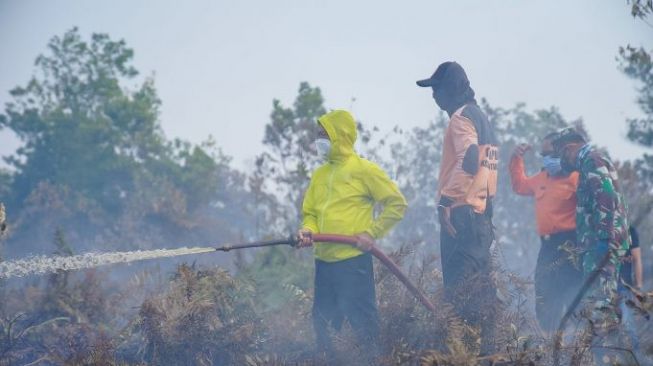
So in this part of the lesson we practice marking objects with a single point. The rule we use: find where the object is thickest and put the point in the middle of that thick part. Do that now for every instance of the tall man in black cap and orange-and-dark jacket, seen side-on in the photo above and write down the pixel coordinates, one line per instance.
(467, 185)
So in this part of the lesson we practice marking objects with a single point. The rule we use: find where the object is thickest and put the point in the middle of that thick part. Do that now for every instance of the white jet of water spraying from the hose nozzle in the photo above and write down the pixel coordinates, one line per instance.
(48, 264)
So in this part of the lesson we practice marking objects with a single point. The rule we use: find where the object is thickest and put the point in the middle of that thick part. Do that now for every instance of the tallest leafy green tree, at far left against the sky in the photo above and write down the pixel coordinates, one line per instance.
(78, 126)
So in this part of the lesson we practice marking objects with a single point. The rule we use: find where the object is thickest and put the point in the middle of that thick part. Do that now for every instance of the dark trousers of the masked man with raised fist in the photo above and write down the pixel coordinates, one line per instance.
(557, 279)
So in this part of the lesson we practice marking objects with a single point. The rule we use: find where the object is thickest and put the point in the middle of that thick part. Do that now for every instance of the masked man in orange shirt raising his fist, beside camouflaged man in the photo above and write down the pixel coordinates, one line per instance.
(557, 278)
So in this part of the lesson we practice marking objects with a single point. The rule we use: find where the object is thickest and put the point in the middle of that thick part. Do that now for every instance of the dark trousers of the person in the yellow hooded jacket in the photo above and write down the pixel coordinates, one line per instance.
(345, 290)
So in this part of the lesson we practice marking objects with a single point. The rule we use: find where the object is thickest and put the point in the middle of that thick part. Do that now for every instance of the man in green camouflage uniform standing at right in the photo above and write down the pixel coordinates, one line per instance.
(601, 225)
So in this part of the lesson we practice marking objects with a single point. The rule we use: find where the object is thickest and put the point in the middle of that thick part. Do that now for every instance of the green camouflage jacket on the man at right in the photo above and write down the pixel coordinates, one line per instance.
(601, 213)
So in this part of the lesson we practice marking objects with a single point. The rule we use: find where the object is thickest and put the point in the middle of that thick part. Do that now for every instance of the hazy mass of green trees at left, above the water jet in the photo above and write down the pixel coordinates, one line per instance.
(96, 164)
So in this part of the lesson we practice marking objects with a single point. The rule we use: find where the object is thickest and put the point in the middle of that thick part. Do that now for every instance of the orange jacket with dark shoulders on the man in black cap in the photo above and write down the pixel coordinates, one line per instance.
(468, 169)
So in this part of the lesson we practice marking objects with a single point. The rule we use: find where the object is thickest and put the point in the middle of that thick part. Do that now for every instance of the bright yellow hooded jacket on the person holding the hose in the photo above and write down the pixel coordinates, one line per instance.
(341, 196)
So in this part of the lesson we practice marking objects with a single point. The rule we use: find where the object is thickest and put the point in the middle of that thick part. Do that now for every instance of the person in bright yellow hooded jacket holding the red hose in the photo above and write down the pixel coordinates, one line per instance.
(340, 200)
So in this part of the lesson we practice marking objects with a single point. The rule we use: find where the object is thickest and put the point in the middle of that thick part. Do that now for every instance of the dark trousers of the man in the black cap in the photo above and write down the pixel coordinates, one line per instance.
(466, 269)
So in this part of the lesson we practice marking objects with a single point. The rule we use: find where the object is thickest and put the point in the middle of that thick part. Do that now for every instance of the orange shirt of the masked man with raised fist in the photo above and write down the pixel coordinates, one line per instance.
(555, 197)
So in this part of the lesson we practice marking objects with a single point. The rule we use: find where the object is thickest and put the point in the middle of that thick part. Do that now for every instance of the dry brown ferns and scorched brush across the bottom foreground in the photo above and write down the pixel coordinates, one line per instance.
(208, 317)
